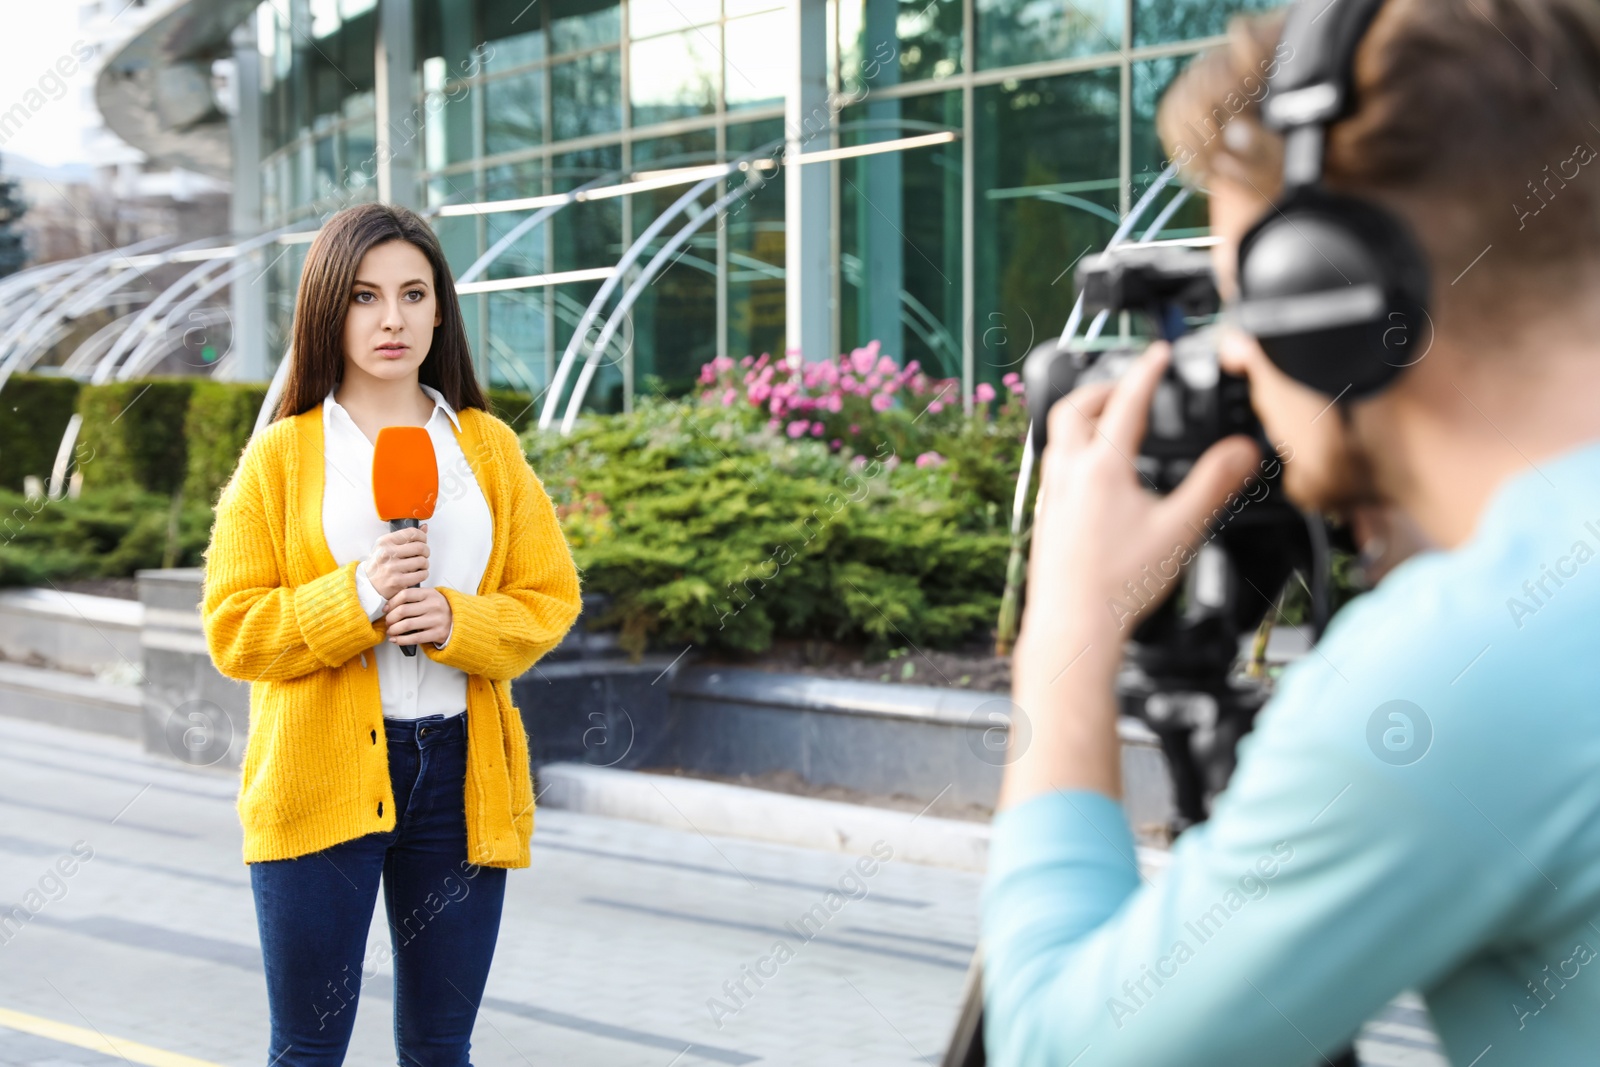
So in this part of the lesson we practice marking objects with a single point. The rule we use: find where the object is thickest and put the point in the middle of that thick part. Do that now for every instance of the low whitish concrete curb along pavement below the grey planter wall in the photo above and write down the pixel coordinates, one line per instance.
(697, 805)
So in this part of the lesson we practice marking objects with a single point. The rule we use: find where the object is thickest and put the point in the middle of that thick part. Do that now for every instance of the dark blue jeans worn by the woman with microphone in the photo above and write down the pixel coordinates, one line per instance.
(444, 916)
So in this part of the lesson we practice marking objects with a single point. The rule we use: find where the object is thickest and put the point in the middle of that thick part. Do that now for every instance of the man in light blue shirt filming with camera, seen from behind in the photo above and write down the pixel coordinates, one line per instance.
(1418, 805)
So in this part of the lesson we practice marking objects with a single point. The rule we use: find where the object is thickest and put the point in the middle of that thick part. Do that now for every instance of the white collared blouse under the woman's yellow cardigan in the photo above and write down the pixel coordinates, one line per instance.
(460, 537)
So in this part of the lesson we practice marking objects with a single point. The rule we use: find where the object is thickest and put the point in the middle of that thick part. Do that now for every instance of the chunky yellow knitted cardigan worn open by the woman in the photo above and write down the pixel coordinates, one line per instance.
(282, 615)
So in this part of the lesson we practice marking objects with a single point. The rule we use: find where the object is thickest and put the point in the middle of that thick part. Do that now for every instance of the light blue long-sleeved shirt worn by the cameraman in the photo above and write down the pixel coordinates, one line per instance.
(1418, 807)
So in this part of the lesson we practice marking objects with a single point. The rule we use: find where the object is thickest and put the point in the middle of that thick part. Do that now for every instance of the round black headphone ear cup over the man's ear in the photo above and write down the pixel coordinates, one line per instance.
(1335, 290)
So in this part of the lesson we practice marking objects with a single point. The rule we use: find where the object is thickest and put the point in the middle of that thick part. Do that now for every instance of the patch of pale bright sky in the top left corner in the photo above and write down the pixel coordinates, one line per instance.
(38, 34)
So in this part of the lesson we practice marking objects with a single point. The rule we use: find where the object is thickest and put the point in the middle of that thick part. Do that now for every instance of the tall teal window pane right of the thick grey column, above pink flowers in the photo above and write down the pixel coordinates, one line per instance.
(902, 234)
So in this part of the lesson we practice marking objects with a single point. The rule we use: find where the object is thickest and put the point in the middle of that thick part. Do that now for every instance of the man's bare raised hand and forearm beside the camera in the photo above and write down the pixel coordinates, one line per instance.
(1097, 526)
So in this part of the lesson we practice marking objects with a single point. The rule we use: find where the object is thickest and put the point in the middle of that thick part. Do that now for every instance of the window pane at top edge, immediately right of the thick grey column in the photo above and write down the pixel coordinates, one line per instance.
(886, 42)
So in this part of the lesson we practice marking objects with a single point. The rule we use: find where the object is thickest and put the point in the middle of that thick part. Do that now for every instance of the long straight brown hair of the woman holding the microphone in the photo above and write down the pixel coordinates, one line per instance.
(324, 302)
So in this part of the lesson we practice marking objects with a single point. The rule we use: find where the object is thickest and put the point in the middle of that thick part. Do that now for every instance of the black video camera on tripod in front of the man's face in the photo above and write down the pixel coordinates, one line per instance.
(1178, 674)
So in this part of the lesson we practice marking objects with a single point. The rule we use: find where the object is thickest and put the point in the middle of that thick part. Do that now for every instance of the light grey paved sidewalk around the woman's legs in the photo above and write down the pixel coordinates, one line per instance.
(610, 949)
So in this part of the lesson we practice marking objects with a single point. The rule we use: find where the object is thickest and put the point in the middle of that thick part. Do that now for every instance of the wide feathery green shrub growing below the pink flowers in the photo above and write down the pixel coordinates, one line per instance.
(703, 530)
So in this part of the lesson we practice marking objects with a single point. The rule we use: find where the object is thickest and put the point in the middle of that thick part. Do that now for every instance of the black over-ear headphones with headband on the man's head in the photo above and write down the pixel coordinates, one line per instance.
(1334, 287)
